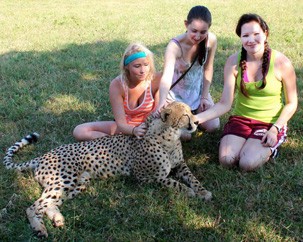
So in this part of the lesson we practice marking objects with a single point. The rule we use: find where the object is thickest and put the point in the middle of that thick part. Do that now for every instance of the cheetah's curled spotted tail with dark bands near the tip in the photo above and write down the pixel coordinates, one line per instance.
(8, 159)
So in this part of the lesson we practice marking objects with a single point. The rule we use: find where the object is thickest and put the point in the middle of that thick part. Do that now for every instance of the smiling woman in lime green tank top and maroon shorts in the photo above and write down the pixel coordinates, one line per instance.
(263, 83)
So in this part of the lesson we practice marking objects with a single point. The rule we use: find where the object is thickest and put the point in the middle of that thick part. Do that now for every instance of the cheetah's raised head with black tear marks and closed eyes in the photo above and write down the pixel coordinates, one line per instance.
(178, 115)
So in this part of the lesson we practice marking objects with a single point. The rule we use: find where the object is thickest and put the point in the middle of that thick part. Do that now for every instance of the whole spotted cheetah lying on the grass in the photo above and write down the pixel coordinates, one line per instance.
(65, 171)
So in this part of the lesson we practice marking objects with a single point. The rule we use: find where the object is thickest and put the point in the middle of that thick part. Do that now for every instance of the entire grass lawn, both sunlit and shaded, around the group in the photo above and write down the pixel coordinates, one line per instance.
(57, 59)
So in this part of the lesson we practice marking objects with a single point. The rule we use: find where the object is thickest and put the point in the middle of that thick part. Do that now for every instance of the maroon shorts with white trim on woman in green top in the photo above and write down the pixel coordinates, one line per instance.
(250, 128)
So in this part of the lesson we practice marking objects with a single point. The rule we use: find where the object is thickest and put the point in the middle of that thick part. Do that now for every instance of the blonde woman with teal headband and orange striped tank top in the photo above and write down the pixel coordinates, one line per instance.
(133, 96)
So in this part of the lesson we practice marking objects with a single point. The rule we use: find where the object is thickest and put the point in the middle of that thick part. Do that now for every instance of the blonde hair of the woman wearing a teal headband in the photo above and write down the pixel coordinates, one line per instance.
(134, 48)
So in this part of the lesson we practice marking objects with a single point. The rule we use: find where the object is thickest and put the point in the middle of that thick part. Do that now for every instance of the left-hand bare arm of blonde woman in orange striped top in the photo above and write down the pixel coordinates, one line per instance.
(116, 95)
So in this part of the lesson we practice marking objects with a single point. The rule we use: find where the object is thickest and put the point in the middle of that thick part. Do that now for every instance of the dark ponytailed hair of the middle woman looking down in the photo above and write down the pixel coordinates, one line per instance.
(202, 13)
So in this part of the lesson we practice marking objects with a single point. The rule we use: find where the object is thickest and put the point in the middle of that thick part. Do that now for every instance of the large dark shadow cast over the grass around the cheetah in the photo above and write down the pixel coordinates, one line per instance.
(52, 92)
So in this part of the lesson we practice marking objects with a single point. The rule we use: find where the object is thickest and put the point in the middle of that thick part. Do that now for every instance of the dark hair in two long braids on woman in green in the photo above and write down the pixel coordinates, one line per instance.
(244, 19)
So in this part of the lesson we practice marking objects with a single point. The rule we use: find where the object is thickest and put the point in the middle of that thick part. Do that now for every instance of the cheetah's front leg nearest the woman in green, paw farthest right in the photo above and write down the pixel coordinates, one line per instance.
(186, 175)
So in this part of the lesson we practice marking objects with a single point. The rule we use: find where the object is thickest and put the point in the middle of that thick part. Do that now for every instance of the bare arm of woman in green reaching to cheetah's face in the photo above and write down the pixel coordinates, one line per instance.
(227, 97)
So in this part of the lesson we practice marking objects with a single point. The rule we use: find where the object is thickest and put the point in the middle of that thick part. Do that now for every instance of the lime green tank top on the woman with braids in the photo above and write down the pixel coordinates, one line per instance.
(265, 104)
